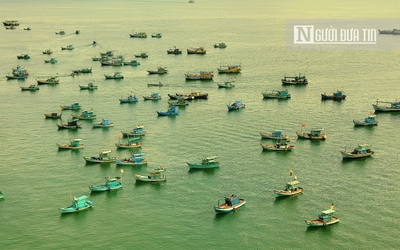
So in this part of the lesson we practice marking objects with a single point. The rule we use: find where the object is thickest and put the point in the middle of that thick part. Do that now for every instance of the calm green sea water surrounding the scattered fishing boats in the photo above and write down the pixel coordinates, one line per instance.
(37, 178)
